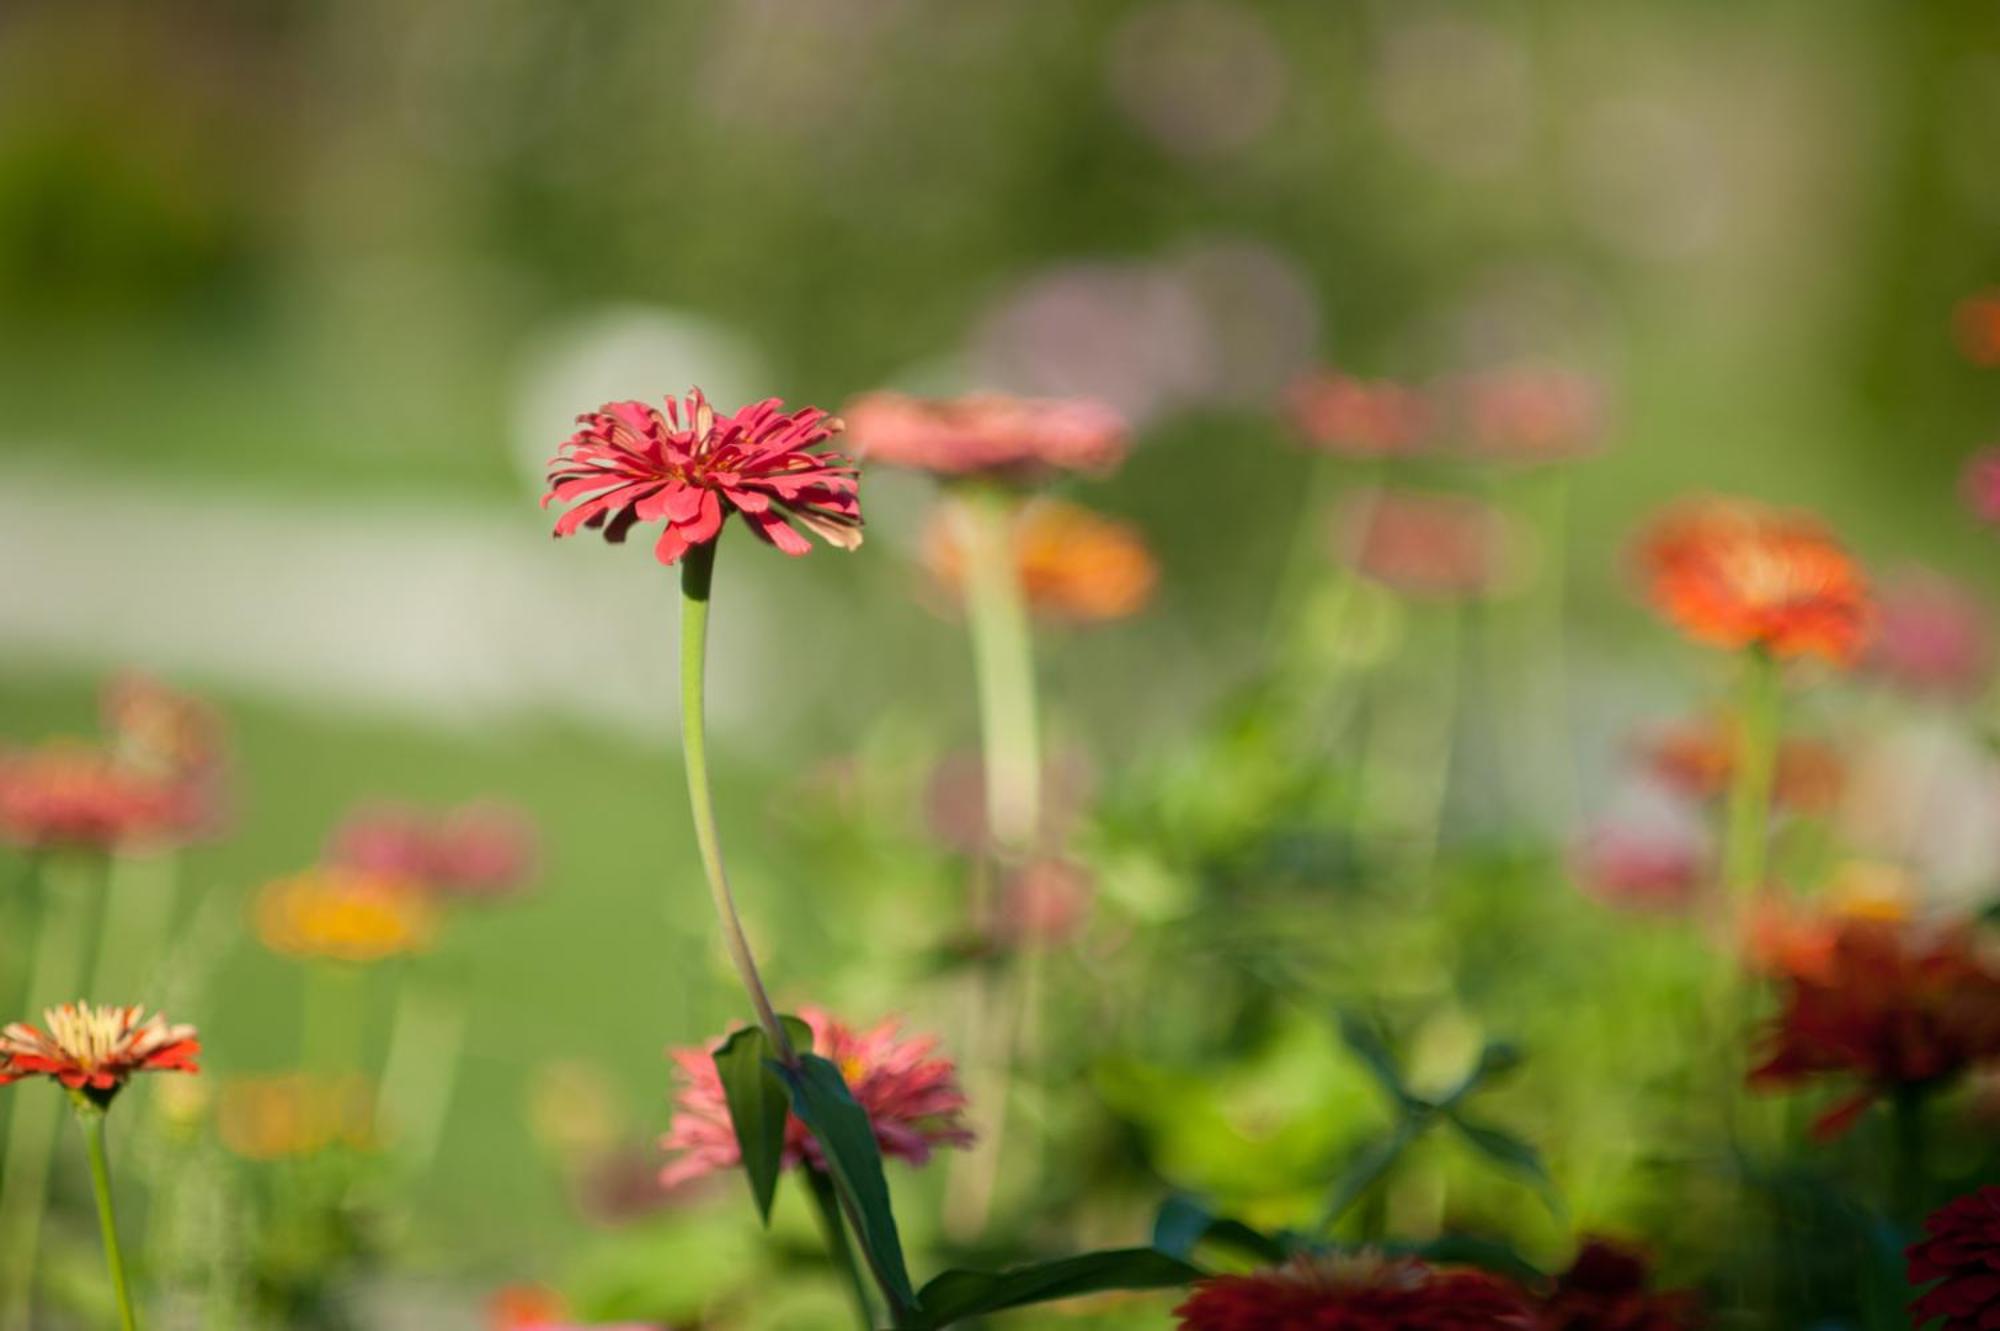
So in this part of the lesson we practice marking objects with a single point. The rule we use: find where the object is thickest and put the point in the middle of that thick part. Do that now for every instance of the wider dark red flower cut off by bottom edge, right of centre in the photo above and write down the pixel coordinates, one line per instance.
(1357, 1294)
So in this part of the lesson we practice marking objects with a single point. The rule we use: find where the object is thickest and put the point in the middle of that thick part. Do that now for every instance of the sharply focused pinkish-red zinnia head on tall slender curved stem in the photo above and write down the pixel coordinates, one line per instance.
(693, 467)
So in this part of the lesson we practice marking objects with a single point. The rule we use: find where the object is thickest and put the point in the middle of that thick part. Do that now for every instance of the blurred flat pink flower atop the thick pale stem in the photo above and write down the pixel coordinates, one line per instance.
(989, 435)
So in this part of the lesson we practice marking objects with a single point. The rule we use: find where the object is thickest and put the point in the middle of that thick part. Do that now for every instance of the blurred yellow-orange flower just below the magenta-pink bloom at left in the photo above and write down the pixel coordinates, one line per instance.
(343, 916)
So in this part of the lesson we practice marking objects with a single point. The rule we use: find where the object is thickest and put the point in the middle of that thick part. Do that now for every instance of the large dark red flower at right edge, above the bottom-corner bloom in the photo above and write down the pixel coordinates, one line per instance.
(1885, 1002)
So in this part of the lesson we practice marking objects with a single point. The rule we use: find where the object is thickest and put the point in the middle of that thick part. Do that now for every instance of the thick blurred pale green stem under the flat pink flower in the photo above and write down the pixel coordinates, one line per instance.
(1003, 668)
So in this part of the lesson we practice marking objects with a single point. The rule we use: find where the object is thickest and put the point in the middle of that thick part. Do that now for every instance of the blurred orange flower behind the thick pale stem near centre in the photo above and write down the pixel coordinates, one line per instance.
(1073, 565)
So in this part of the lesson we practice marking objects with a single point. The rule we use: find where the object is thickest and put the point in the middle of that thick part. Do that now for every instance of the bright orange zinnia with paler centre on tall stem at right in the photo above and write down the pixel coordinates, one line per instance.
(1739, 575)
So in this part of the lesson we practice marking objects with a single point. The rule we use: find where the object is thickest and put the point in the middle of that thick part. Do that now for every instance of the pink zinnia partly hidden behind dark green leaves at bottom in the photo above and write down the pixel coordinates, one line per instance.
(911, 1098)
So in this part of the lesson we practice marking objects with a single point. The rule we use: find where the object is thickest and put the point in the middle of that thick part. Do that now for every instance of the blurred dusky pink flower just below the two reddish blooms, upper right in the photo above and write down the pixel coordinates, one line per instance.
(1437, 547)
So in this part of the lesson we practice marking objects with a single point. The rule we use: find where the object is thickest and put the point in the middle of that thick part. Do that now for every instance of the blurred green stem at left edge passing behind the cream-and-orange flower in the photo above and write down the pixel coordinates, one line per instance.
(33, 1128)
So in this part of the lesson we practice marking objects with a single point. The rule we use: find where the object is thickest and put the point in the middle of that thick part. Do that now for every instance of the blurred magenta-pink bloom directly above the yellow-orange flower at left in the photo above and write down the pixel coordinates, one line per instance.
(477, 850)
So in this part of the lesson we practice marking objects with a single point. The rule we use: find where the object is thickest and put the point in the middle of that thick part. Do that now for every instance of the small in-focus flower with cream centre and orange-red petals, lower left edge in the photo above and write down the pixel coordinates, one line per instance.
(95, 1050)
